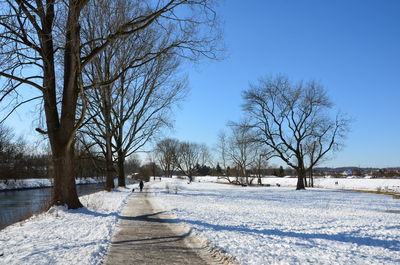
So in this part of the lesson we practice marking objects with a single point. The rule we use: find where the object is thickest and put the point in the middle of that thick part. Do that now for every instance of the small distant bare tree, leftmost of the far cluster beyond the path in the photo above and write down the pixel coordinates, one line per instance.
(166, 152)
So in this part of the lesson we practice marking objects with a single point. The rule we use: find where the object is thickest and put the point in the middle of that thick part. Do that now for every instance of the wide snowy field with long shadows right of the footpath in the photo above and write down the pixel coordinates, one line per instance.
(278, 225)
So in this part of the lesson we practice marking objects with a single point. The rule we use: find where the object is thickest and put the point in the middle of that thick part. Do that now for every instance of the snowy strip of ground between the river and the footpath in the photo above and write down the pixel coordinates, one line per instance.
(63, 236)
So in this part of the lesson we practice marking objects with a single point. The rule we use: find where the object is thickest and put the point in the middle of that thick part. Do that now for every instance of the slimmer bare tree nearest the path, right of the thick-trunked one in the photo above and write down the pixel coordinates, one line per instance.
(145, 107)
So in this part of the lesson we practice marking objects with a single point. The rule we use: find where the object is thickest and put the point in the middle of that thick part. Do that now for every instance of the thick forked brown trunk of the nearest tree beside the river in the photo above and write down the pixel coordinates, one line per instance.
(62, 130)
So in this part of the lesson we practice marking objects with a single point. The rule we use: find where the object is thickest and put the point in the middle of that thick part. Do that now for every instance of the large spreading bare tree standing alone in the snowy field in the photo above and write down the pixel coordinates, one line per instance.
(290, 117)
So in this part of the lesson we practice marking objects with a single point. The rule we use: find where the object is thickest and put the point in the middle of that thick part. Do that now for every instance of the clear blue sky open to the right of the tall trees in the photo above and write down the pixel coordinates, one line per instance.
(351, 46)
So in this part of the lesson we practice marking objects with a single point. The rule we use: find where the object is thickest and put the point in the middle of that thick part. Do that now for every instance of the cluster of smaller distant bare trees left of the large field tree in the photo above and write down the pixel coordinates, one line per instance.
(243, 160)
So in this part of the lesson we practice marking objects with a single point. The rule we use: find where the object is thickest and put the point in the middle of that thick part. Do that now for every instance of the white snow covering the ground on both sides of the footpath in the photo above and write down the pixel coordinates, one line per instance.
(257, 225)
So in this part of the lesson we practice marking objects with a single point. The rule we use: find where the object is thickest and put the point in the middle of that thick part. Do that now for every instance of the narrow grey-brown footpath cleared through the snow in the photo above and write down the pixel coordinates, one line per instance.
(146, 235)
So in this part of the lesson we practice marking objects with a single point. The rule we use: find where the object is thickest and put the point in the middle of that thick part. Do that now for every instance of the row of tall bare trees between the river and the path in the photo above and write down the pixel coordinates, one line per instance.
(76, 52)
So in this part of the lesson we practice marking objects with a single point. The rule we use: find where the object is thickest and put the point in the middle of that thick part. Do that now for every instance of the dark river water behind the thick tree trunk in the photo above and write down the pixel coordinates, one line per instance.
(20, 204)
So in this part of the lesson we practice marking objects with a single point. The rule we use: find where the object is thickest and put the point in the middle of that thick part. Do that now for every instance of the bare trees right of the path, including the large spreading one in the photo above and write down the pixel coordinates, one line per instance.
(292, 121)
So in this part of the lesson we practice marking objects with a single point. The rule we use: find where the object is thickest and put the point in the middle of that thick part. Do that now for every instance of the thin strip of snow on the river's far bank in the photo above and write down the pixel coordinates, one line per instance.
(12, 184)
